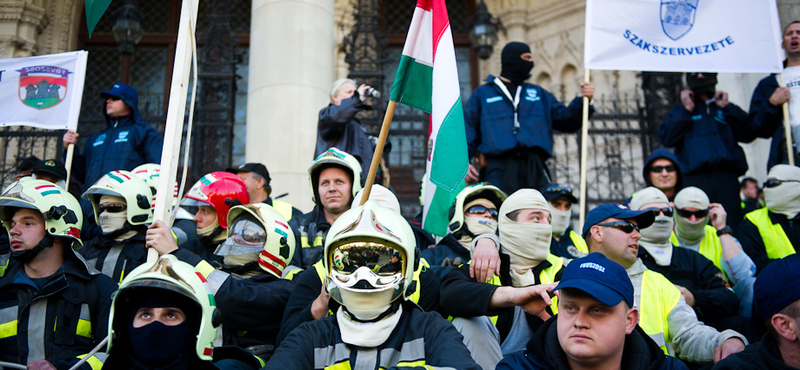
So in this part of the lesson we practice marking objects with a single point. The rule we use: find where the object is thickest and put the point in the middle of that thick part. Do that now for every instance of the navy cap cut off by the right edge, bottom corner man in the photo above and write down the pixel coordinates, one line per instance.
(776, 286)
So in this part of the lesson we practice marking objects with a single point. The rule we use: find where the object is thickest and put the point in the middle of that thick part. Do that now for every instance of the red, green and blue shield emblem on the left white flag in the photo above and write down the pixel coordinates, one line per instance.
(42, 87)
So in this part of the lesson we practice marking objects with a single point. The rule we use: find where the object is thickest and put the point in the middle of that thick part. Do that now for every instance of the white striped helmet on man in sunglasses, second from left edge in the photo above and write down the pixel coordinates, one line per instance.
(123, 184)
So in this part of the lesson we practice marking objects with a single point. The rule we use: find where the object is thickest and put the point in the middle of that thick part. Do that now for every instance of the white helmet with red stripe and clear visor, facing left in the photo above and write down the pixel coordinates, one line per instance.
(259, 228)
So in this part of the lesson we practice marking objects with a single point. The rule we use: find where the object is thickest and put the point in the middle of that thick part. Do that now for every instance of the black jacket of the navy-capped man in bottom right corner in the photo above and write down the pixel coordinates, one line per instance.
(763, 354)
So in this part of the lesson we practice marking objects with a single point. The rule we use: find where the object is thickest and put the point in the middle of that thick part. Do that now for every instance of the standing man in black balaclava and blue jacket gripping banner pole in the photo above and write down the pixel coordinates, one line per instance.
(511, 122)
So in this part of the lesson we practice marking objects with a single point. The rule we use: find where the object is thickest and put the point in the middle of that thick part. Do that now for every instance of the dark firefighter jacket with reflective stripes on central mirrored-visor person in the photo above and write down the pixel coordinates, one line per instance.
(420, 339)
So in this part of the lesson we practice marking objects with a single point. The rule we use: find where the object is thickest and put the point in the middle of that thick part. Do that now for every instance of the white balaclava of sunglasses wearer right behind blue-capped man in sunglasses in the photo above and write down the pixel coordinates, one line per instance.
(655, 238)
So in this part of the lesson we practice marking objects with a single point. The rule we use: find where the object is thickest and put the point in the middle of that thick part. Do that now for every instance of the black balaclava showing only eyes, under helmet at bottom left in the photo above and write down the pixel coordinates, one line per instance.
(157, 345)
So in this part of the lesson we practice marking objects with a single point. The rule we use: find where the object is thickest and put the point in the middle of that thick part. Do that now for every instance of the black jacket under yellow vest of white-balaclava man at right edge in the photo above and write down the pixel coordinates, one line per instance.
(753, 245)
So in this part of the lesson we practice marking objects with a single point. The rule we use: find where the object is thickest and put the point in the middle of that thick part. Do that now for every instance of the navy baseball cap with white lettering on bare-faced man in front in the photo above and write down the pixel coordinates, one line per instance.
(600, 277)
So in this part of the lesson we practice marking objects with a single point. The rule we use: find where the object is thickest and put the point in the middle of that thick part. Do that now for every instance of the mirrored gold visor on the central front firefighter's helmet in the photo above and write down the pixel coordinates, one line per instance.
(367, 265)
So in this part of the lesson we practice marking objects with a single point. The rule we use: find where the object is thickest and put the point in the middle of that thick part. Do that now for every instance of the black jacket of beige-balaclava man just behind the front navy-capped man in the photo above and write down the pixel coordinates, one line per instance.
(463, 296)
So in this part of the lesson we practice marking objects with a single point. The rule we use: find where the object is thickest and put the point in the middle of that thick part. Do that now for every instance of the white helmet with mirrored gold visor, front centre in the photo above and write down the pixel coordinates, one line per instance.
(358, 257)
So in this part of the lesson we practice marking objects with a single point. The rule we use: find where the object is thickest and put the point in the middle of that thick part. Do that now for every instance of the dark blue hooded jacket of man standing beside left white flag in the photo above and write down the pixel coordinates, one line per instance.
(126, 143)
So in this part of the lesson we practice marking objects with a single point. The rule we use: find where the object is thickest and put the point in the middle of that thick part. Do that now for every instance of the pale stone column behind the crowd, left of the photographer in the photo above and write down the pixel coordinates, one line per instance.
(291, 70)
